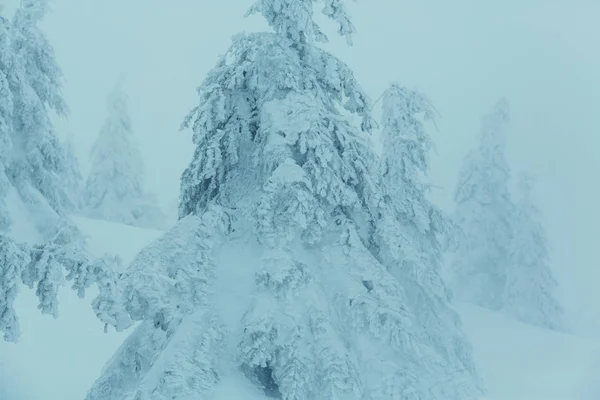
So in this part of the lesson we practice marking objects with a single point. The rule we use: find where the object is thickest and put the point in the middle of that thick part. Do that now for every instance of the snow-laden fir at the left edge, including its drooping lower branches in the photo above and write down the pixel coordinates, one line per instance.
(32, 163)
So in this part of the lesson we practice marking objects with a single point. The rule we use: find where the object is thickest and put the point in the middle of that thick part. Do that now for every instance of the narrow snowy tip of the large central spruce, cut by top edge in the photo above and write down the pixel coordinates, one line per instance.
(293, 19)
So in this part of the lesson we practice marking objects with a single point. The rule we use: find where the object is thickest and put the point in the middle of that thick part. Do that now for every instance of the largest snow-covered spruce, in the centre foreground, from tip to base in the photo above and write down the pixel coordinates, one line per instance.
(273, 270)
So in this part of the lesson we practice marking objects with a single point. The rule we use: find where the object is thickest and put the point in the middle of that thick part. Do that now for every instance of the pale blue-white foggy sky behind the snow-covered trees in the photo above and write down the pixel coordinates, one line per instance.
(464, 54)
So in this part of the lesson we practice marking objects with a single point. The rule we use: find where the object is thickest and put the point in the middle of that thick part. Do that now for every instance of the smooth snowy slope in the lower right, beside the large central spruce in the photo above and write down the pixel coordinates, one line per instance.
(522, 362)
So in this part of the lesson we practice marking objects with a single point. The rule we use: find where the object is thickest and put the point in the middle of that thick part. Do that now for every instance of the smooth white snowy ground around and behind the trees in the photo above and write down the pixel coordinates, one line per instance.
(60, 359)
